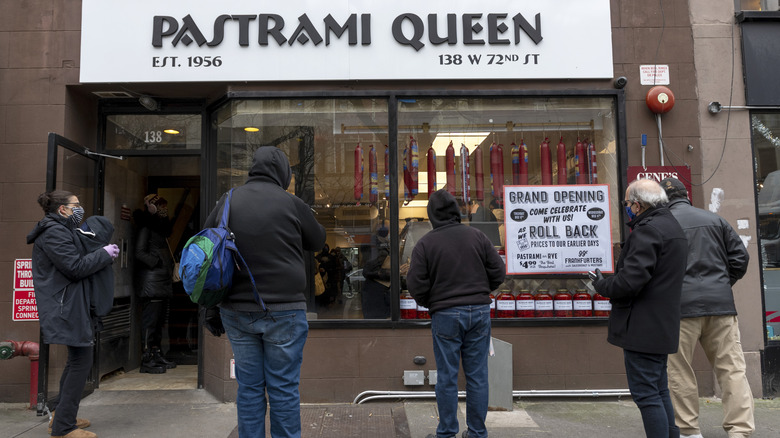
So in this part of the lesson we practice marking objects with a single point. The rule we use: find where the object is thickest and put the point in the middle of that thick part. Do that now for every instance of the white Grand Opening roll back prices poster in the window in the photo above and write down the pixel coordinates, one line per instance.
(557, 229)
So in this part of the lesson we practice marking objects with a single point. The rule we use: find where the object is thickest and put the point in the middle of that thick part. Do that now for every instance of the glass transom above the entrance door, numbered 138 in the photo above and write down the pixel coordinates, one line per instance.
(153, 132)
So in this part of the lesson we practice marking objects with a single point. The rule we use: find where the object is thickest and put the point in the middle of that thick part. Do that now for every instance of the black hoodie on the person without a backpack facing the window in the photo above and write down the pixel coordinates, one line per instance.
(452, 265)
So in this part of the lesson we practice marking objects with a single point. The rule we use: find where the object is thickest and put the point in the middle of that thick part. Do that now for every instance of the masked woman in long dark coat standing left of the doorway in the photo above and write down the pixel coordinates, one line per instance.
(62, 269)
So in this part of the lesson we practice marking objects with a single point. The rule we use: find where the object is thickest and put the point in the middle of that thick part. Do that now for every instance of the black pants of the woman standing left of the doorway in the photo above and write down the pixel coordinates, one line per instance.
(72, 382)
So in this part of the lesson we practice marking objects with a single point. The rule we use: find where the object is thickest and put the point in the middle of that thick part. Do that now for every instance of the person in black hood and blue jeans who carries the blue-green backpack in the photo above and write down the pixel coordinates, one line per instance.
(274, 232)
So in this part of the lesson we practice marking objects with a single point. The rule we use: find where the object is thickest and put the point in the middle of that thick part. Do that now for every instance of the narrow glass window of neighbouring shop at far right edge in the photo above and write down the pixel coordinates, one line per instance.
(766, 152)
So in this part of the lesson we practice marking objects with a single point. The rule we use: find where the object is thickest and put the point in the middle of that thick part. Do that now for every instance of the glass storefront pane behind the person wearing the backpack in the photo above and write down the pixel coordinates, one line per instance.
(324, 139)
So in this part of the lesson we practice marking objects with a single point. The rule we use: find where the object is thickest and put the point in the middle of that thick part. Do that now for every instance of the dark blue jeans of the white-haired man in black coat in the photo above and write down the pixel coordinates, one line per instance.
(646, 374)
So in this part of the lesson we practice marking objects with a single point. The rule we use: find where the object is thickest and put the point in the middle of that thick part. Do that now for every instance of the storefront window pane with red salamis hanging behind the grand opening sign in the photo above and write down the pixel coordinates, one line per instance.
(492, 133)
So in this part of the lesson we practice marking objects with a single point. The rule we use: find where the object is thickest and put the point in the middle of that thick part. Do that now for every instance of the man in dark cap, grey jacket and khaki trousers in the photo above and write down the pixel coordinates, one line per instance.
(716, 260)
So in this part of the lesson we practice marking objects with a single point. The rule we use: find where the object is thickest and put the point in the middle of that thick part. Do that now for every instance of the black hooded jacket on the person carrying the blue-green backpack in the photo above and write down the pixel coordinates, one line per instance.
(273, 228)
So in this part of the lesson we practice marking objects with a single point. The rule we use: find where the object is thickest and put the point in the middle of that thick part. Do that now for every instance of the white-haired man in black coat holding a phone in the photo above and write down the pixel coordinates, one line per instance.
(646, 290)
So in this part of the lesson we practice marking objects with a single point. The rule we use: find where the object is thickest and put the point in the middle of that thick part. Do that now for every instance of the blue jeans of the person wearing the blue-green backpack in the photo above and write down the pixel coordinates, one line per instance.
(268, 357)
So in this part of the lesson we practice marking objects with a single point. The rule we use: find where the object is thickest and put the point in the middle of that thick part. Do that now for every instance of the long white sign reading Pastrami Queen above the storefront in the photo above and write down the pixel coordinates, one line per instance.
(247, 40)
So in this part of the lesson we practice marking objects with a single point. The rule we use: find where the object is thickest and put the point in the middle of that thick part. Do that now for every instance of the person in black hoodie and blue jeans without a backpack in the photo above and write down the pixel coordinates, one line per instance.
(452, 272)
